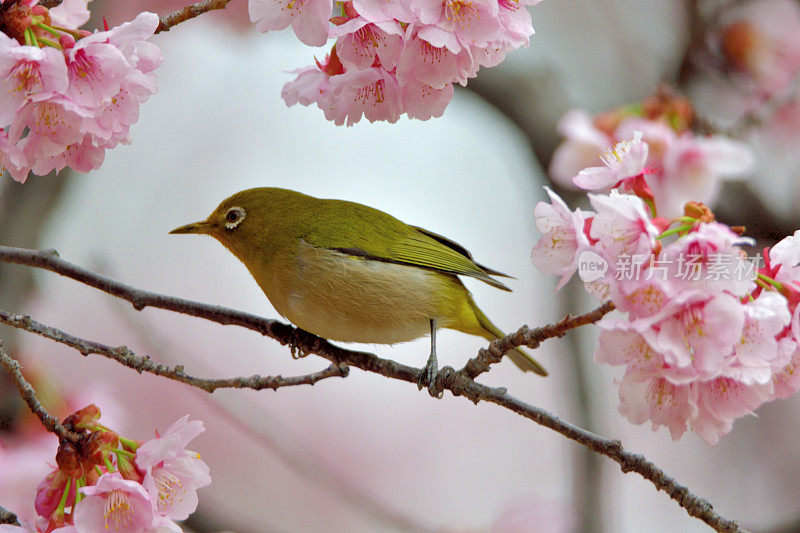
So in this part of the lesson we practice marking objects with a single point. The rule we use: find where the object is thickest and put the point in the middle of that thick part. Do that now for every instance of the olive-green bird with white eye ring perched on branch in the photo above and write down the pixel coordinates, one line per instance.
(352, 273)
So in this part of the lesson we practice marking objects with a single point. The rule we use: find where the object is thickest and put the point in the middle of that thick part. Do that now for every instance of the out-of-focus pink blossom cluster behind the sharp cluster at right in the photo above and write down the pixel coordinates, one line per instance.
(681, 166)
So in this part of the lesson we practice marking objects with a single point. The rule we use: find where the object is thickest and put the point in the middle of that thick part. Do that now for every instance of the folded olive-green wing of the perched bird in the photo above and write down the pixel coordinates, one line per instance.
(384, 238)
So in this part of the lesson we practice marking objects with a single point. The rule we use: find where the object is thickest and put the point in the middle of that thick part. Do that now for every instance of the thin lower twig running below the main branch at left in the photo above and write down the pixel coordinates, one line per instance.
(126, 357)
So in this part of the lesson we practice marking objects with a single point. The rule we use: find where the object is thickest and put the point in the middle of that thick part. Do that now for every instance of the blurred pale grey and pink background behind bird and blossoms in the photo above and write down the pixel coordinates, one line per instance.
(366, 453)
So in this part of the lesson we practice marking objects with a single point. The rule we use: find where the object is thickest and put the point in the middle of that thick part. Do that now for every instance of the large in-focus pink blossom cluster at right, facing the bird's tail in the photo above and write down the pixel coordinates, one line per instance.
(705, 336)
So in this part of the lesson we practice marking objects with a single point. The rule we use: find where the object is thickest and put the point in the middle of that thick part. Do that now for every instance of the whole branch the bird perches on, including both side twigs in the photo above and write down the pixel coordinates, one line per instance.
(458, 382)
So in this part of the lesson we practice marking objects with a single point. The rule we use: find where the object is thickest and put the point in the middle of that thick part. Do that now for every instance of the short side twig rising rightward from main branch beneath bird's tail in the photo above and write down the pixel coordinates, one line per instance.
(531, 338)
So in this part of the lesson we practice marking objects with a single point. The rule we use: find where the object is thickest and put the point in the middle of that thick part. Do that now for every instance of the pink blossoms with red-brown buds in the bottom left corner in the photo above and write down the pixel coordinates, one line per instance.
(109, 483)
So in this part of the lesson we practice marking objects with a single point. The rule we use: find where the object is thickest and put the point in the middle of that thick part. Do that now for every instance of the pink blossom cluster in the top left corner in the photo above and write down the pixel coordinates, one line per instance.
(67, 95)
